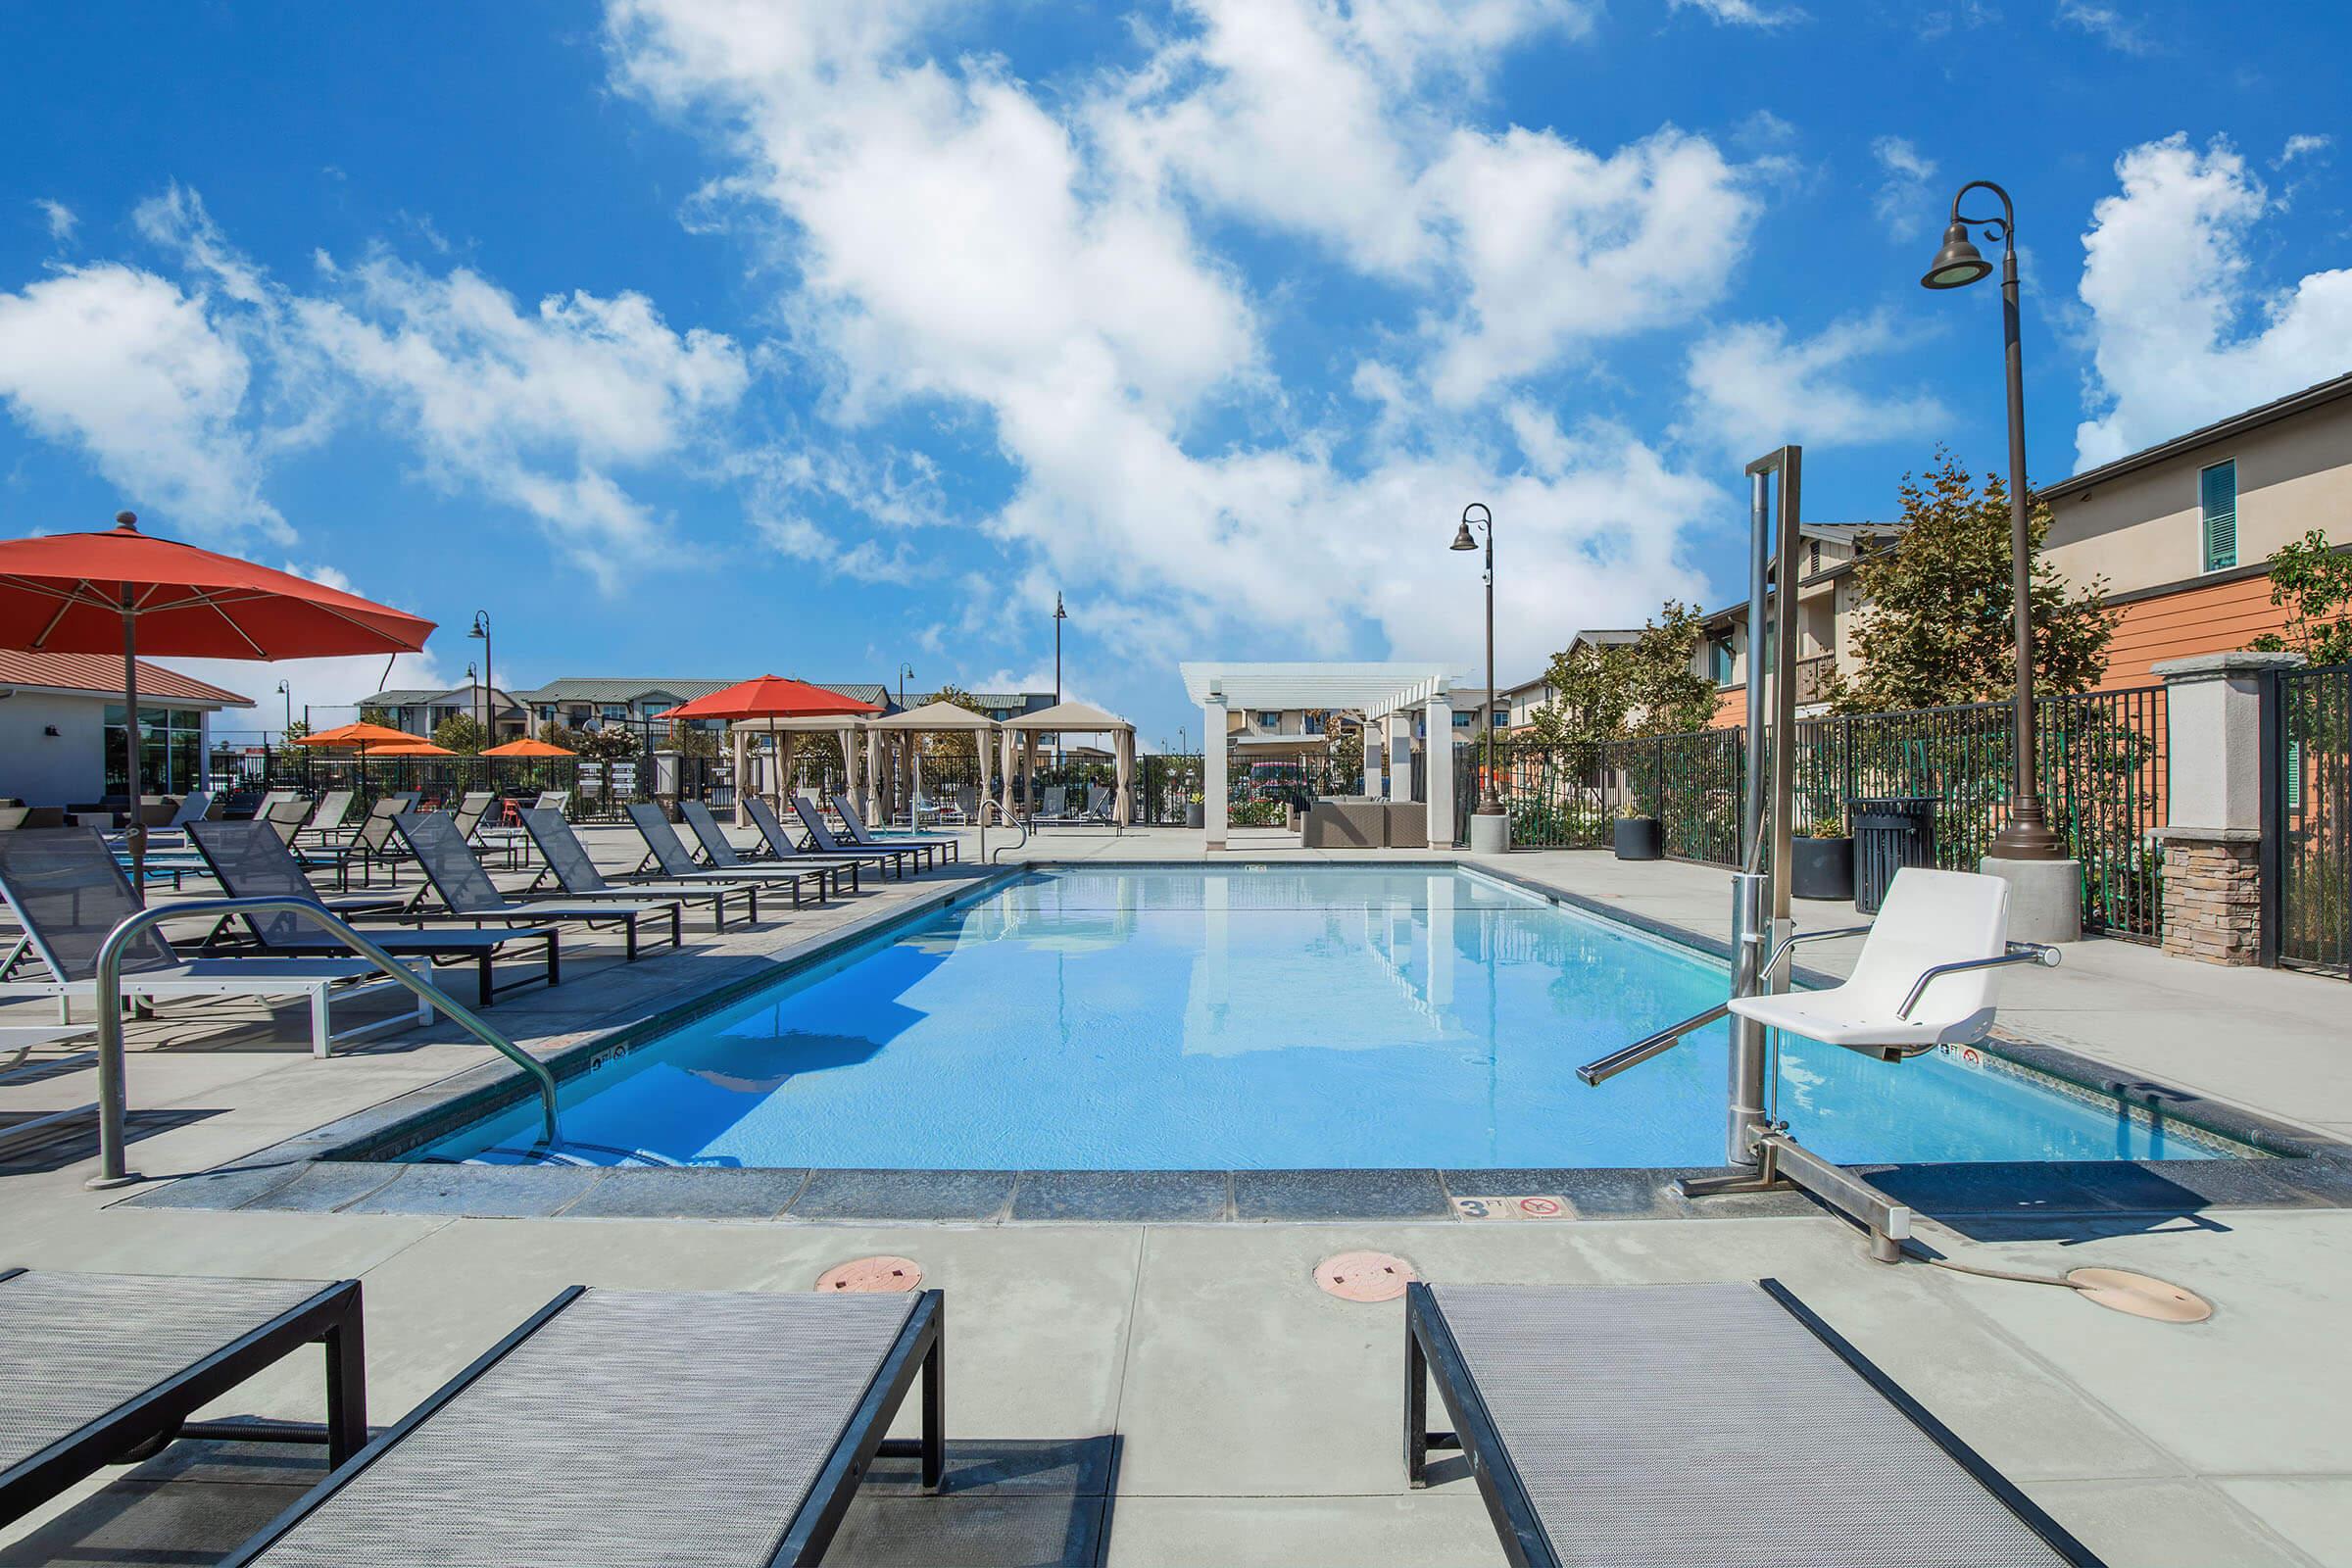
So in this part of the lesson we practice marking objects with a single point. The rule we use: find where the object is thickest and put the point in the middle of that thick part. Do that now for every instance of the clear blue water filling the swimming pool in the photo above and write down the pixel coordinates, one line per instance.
(1267, 1019)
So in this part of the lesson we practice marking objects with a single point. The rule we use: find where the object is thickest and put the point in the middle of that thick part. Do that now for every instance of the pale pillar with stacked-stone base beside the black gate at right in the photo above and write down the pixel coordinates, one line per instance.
(2214, 805)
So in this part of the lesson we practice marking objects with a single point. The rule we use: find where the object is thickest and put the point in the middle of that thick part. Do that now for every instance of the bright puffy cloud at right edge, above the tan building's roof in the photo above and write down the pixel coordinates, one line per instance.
(2181, 333)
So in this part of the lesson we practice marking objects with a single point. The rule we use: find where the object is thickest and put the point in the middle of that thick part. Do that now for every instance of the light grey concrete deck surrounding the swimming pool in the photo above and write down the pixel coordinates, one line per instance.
(1184, 1395)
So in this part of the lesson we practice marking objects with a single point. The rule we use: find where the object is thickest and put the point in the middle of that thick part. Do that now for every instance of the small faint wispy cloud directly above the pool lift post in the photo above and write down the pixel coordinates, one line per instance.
(1753, 389)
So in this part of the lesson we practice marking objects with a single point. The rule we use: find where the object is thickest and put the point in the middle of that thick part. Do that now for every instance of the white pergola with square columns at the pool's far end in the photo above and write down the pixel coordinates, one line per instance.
(1384, 692)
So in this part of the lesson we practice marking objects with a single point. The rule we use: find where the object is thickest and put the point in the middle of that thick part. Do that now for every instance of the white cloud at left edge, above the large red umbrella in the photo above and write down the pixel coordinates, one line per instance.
(149, 384)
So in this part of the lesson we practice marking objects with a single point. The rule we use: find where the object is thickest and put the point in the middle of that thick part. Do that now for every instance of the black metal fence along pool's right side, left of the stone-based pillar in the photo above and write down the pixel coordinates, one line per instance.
(2102, 763)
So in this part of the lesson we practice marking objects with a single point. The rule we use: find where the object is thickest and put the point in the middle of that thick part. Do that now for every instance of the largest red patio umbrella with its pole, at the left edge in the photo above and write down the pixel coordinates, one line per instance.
(95, 594)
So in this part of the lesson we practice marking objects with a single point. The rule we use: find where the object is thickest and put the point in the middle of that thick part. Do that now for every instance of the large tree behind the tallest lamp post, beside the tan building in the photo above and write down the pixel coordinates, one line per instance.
(1937, 622)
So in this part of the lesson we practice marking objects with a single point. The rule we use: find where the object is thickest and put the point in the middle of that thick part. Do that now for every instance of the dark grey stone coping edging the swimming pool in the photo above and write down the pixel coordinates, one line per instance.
(354, 1162)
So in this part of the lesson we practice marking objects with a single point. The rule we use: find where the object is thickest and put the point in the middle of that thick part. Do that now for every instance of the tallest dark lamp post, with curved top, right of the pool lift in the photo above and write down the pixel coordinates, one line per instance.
(2026, 836)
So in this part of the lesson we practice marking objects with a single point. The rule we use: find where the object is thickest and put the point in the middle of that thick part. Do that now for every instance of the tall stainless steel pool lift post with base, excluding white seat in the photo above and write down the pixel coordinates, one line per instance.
(1756, 1144)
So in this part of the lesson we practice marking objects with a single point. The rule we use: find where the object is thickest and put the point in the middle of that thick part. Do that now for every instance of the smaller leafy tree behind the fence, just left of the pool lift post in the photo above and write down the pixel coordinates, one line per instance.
(1619, 690)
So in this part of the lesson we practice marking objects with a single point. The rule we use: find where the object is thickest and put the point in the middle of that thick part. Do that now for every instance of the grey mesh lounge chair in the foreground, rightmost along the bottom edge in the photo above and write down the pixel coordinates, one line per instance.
(1706, 1426)
